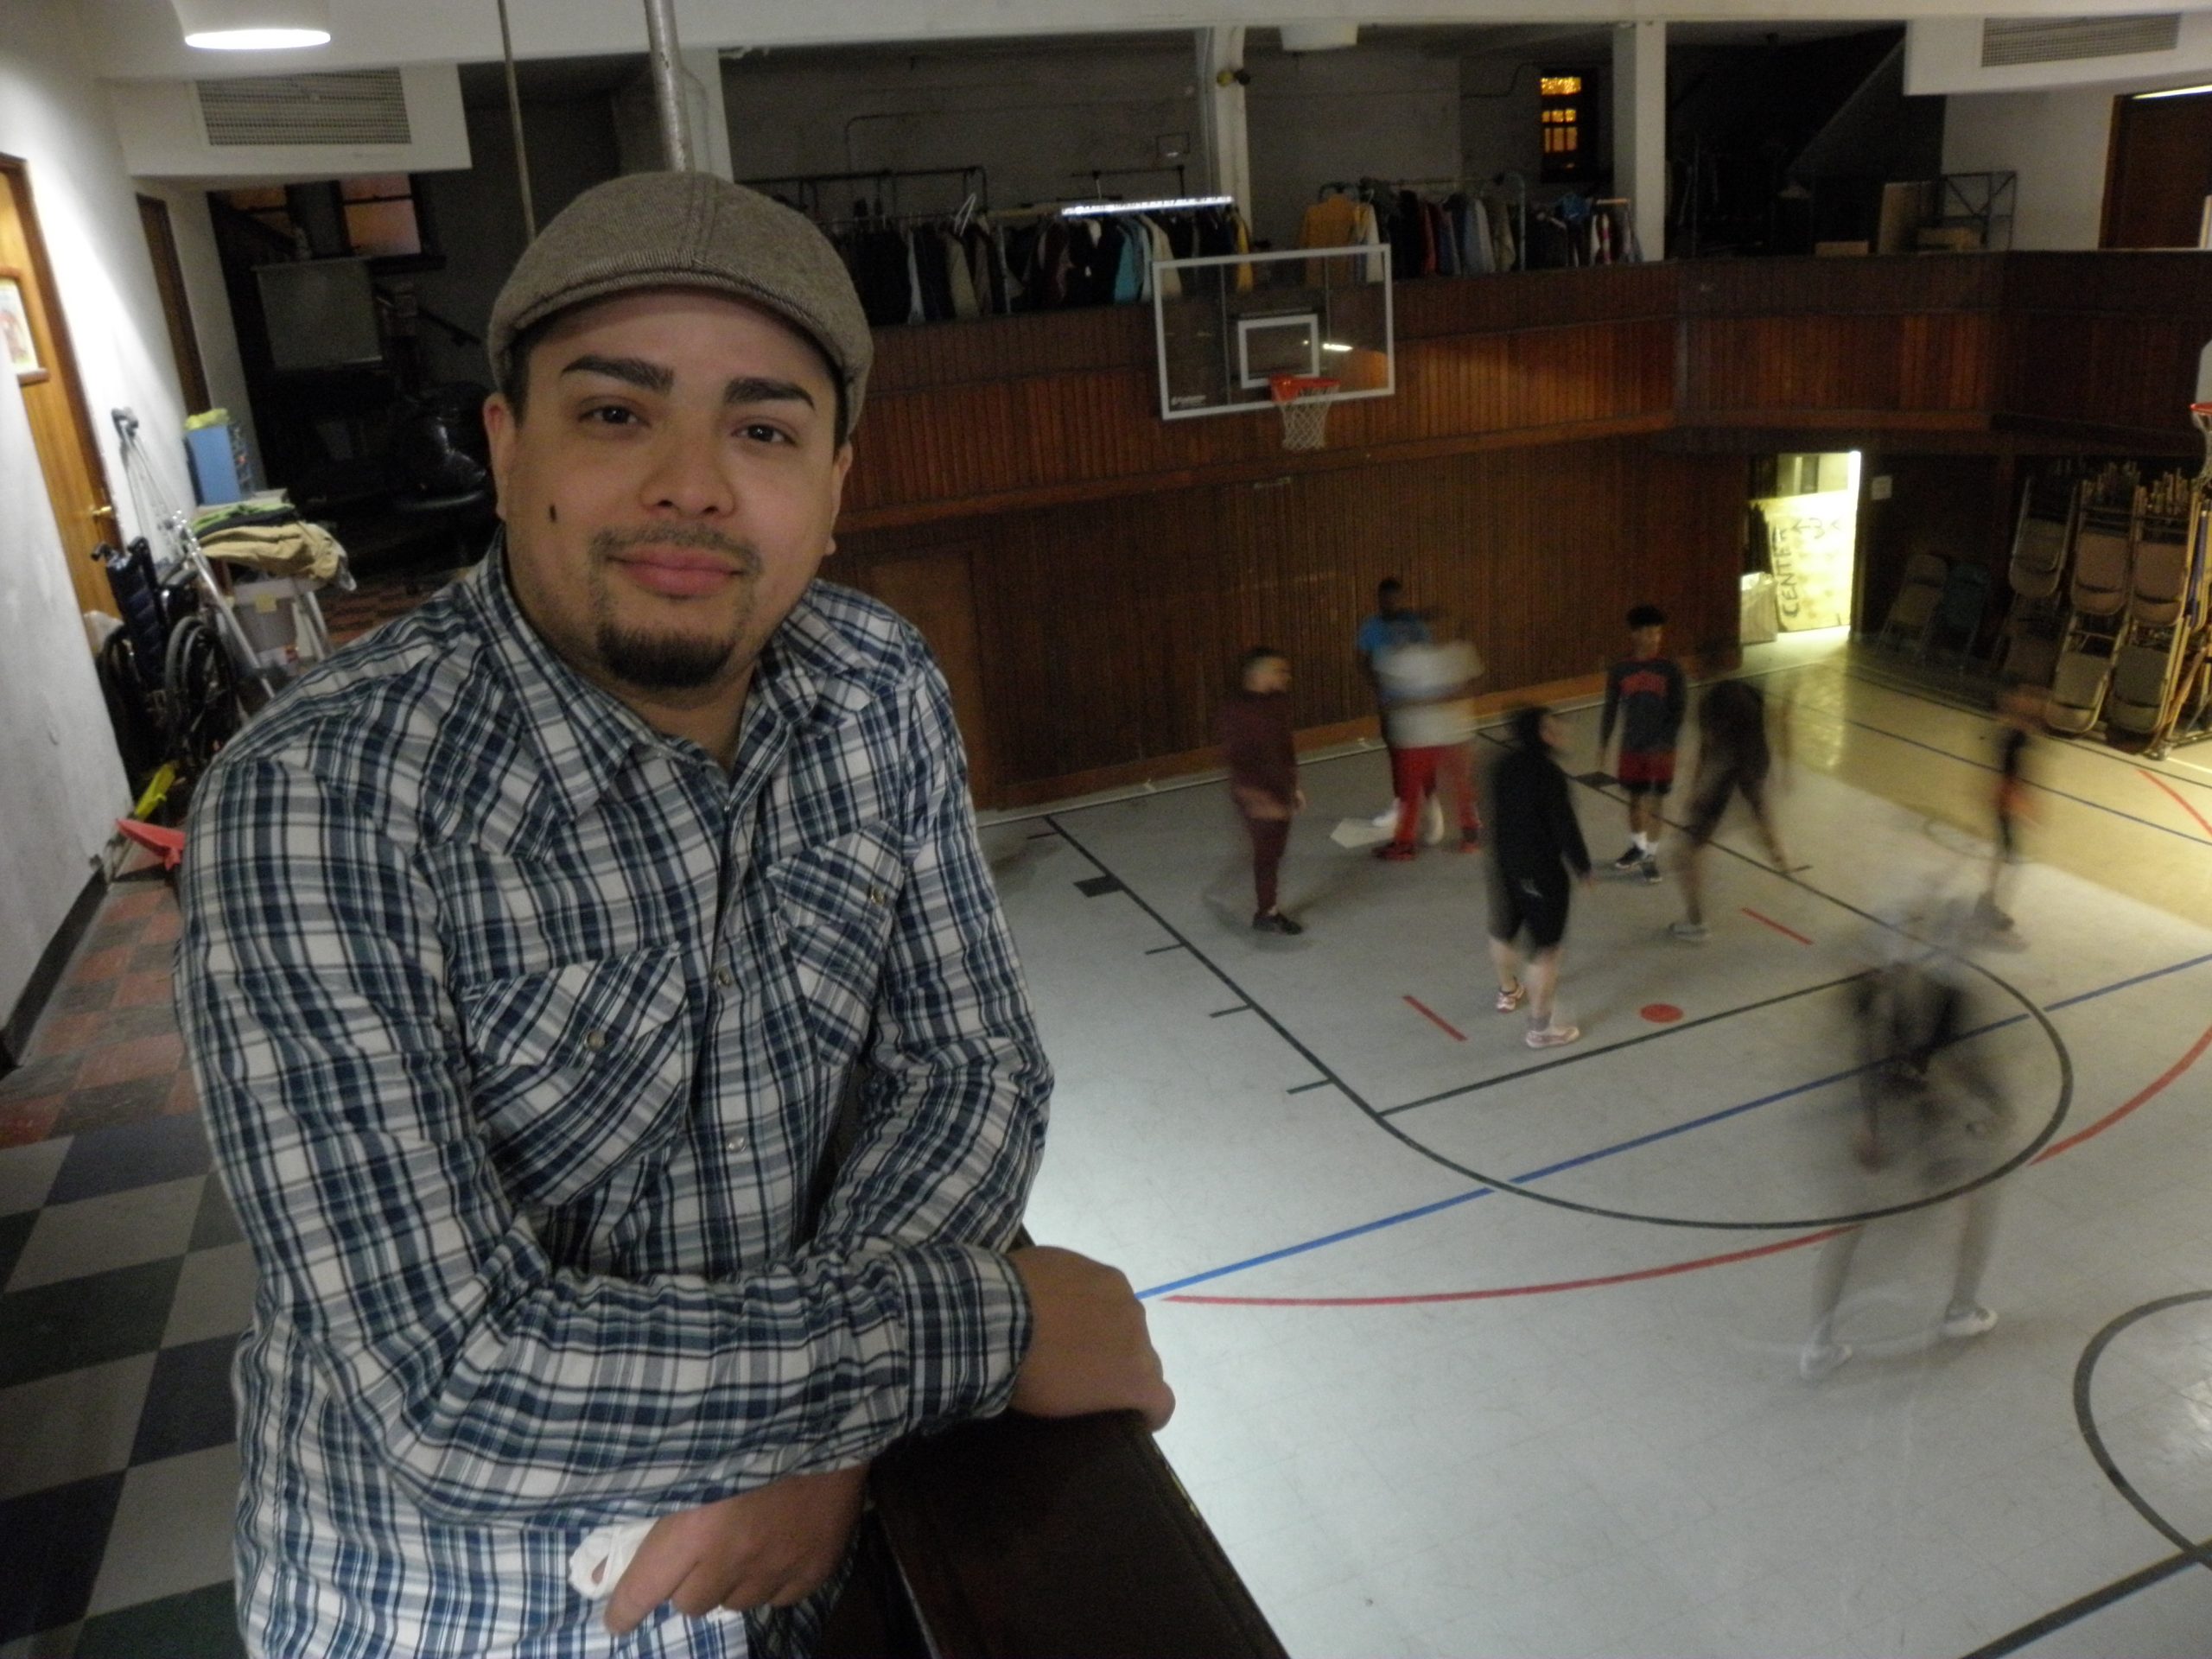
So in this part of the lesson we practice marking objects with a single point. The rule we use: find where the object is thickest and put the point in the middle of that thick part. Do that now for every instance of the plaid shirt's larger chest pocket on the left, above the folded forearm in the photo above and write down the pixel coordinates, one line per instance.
(578, 1070)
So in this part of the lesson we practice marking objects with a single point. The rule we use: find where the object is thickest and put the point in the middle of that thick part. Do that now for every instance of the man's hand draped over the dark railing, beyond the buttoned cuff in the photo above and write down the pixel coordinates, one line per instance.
(1092, 1350)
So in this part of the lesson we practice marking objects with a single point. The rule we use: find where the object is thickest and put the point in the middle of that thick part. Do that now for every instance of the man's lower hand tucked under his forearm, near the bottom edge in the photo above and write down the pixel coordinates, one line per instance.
(769, 1547)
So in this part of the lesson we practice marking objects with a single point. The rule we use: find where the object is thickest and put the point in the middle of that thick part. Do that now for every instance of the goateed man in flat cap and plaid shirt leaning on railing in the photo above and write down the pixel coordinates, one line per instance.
(532, 950)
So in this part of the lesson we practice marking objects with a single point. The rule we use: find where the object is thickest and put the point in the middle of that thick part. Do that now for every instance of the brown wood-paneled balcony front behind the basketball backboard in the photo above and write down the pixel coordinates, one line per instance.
(1976, 351)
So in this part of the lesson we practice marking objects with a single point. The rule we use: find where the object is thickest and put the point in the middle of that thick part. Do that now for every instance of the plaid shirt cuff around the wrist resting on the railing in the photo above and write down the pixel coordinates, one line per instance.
(968, 1331)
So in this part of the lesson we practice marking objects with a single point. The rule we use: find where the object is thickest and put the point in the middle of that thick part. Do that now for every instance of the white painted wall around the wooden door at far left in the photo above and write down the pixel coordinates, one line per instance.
(65, 784)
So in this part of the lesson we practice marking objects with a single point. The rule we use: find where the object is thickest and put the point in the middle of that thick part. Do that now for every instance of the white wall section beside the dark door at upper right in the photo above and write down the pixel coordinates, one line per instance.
(2058, 145)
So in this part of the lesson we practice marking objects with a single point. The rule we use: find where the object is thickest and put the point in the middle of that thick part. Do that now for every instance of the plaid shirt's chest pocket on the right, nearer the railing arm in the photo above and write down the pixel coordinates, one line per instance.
(835, 908)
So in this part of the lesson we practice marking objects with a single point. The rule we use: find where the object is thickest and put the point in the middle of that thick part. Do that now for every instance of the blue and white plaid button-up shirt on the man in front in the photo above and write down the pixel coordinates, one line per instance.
(521, 1034)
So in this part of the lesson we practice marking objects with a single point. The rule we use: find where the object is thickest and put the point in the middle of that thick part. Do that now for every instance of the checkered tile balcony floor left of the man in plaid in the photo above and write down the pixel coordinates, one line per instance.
(123, 1295)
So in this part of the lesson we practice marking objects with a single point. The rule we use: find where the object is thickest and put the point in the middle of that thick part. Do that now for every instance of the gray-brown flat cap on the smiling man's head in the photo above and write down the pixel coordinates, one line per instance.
(689, 231)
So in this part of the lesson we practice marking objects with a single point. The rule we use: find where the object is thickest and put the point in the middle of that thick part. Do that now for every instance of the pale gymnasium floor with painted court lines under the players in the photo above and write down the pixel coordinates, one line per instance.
(1494, 1353)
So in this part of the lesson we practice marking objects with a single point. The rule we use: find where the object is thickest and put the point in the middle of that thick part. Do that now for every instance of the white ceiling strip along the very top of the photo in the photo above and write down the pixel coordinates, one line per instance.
(140, 39)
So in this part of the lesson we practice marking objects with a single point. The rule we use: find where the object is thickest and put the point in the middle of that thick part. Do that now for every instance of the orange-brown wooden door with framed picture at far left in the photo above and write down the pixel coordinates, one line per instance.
(76, 481)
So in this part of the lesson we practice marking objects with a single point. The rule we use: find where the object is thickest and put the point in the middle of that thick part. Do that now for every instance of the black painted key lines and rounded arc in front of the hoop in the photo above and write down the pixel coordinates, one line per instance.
(1519, 1189)
